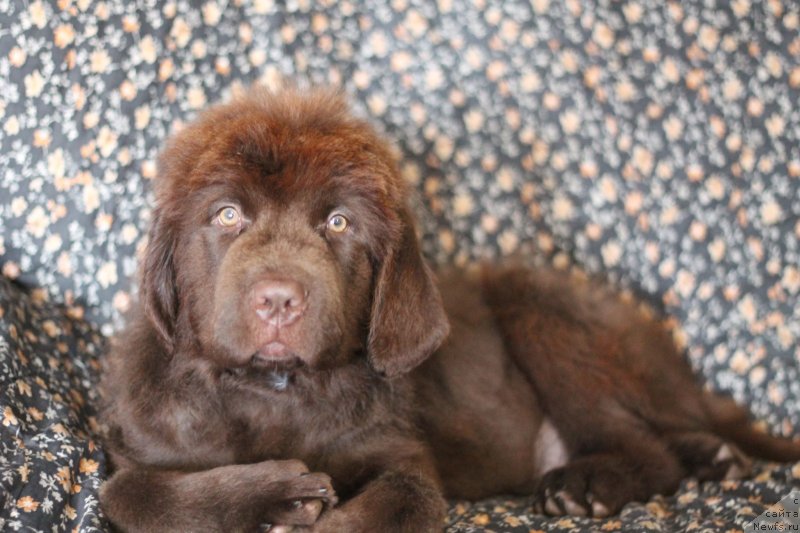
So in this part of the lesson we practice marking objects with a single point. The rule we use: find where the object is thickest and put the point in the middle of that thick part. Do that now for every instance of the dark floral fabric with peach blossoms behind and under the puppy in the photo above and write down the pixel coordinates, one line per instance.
(655, 143)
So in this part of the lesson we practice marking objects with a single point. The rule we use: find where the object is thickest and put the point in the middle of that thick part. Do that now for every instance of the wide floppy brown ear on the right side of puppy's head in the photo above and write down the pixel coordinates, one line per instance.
(408, 321)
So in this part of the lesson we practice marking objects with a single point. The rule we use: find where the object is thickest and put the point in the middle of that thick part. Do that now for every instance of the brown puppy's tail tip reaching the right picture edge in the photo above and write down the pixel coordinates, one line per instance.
(732, 422)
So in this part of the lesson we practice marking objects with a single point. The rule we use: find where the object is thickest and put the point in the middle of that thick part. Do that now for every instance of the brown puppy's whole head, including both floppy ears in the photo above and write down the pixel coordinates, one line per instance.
(280, 239)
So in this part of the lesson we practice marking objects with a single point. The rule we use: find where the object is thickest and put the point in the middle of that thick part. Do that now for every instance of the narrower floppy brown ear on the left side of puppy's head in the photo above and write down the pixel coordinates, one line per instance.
(158, 290)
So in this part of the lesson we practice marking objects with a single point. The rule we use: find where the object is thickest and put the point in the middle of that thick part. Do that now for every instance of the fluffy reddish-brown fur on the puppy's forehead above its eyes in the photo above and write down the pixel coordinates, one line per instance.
(259, 151)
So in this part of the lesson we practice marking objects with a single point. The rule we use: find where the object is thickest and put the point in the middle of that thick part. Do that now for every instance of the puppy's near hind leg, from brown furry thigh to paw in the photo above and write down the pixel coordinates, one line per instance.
(574, 349)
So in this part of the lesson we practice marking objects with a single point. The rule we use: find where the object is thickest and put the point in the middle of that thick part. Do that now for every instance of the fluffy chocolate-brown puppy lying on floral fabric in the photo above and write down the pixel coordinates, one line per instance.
(280, 370)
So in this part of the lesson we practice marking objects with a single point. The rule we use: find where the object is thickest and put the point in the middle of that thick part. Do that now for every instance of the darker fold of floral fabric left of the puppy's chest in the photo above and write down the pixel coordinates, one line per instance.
(50, 465)
